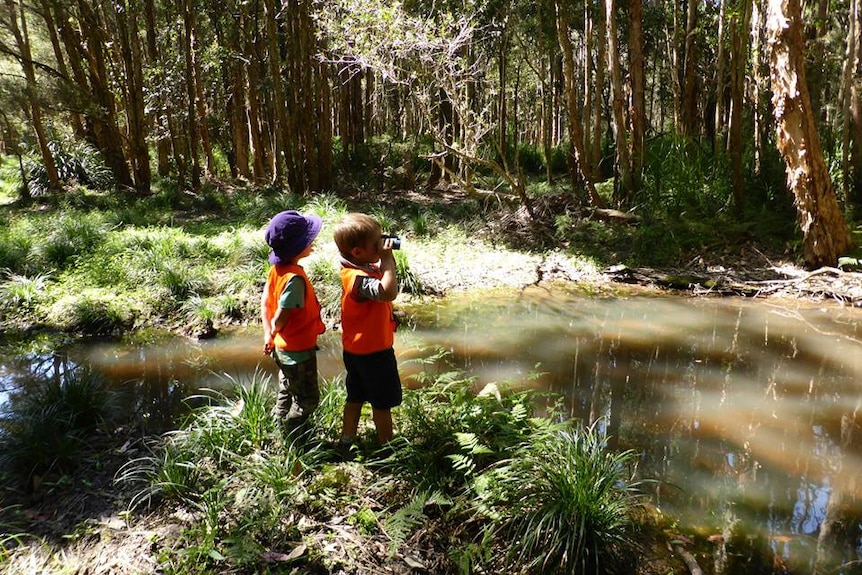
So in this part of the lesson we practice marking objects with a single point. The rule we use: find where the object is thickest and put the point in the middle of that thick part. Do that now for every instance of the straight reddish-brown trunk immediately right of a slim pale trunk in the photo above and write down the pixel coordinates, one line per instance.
(638, 94)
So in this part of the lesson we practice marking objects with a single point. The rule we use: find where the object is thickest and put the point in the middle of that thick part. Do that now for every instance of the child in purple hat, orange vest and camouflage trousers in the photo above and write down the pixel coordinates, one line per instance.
(291, 320)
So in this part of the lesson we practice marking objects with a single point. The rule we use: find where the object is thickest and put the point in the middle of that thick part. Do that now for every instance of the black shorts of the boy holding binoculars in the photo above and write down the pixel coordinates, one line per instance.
(373, 378)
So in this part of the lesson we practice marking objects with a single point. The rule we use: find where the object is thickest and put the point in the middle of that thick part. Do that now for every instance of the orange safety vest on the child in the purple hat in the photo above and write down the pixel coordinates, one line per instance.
(300, 333)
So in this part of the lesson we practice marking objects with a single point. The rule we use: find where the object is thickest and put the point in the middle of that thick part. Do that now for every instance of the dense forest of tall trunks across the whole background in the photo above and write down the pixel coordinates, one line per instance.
(484, 95)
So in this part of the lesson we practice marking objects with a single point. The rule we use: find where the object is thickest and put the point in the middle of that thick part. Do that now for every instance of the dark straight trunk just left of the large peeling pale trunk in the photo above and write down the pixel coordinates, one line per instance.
(738, 62)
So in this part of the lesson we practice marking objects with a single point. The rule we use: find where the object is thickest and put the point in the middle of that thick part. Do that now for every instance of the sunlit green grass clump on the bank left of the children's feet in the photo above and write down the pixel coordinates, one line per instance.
(230, 465)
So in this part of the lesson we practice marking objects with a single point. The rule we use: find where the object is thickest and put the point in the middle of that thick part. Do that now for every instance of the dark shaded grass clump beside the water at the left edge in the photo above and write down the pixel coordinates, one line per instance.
(46, 427)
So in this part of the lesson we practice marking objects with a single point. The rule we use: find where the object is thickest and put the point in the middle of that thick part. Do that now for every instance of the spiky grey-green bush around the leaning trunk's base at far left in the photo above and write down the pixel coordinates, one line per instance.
(76, 163)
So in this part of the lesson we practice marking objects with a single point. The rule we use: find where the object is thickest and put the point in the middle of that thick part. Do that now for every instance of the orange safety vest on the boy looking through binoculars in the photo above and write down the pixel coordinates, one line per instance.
(367, 326)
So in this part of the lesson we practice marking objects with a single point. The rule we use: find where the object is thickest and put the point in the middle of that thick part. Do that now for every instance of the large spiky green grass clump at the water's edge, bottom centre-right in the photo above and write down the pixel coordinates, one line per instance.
(564, 503)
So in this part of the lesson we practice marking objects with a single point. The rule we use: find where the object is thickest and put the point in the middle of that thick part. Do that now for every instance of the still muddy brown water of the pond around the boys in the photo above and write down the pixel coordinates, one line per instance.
(734, 405)
